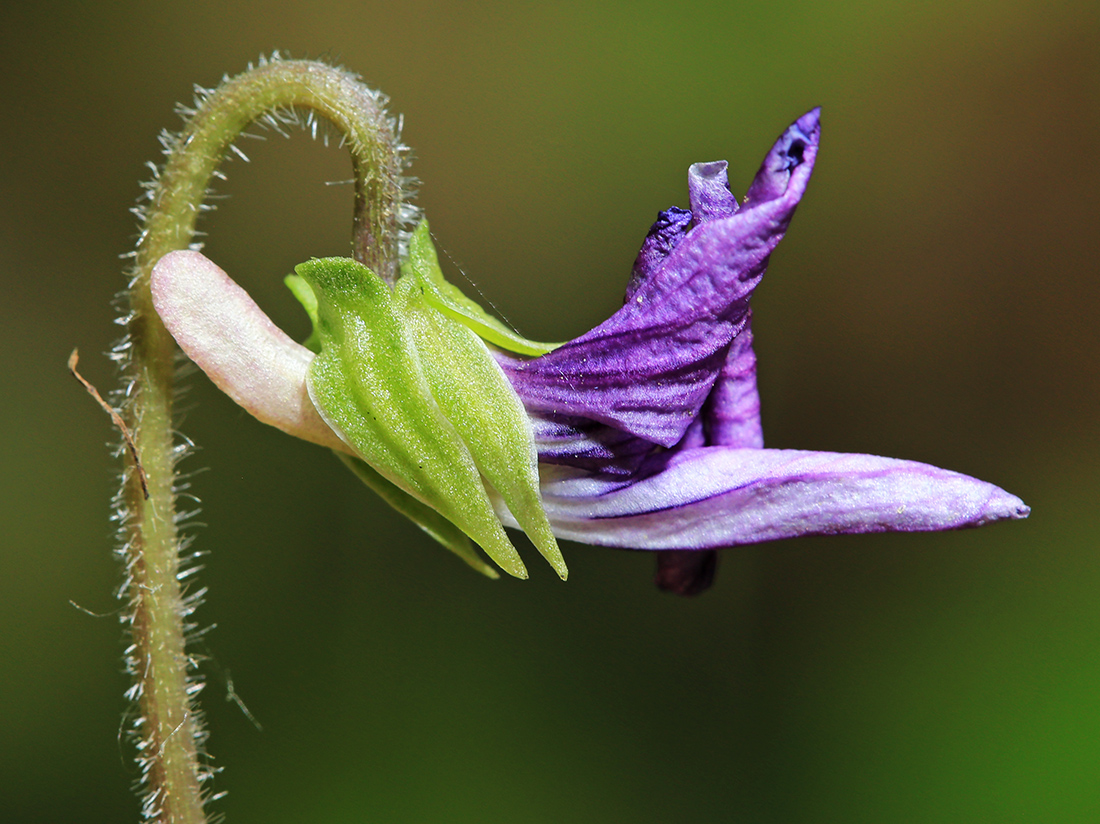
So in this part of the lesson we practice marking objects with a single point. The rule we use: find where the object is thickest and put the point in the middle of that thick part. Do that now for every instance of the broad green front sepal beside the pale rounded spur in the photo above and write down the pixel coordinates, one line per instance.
(369, 386)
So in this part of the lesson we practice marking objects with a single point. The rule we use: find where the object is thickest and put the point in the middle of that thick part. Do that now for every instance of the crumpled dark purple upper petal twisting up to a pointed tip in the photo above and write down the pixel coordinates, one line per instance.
(648, 369)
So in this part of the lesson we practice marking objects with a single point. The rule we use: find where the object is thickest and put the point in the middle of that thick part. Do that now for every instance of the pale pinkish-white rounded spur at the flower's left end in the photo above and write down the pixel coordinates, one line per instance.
(223, 331)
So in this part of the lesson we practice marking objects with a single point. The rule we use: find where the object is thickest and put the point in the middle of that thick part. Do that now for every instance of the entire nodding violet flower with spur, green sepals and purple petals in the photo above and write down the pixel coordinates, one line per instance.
(643, 434)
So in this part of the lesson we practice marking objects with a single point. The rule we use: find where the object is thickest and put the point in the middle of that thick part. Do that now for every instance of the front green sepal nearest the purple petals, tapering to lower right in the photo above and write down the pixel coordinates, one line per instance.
(479, 401)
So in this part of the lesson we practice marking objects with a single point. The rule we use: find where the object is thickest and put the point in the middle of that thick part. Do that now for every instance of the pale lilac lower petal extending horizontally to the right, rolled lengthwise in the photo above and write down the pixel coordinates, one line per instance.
(719, 497)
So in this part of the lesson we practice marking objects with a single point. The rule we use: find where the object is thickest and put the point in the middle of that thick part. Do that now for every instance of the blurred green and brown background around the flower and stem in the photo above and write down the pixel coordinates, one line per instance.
(936, 300)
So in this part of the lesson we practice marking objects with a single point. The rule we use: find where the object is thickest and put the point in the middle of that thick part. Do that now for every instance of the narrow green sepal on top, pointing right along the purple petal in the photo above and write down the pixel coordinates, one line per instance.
(450, 300)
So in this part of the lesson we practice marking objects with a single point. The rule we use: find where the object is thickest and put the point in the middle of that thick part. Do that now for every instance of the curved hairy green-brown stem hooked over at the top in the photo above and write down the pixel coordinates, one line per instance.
(170, 729)
